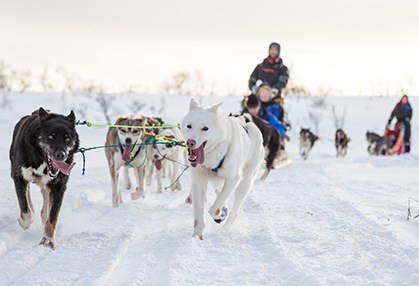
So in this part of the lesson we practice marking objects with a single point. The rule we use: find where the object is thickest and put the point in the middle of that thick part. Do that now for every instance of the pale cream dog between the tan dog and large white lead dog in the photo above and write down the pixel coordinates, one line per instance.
(165, 159)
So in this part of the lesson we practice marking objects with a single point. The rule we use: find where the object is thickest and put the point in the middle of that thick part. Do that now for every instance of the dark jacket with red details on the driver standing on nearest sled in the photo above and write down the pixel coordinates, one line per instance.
(271, 71)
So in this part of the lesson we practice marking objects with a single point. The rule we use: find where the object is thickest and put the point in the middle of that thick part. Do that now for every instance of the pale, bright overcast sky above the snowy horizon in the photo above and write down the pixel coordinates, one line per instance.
(367, 46)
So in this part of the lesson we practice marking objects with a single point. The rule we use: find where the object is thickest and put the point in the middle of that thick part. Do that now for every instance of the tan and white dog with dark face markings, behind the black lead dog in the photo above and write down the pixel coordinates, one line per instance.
(127, 152)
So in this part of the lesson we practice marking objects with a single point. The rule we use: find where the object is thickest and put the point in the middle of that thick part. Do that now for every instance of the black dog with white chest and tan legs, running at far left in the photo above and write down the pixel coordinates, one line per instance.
(42, 152)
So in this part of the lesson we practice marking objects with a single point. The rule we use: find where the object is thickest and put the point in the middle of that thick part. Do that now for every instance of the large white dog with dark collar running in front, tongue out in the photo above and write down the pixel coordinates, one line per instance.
(224, 151)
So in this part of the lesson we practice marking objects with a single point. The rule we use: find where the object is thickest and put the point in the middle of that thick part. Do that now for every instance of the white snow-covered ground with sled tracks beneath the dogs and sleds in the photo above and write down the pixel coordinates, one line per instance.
(324, 221)
